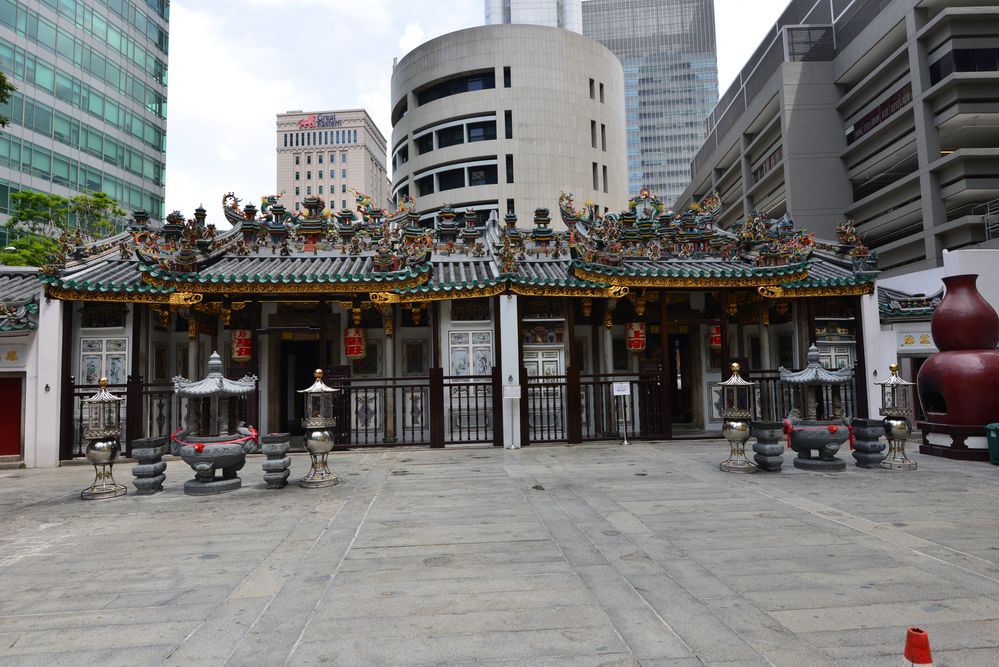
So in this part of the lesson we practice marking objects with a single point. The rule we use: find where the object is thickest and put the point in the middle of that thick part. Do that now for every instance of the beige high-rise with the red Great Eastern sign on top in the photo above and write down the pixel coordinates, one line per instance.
(330, 154)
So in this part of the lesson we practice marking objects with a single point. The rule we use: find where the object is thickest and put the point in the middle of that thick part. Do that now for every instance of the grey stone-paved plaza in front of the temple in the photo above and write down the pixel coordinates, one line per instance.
(596, 554)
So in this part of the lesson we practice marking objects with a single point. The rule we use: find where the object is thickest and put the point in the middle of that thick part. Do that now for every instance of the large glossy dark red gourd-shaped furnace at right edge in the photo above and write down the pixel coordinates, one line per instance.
(959, 385)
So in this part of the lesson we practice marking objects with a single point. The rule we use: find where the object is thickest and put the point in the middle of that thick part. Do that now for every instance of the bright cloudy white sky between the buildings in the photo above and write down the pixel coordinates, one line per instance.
(234, 64)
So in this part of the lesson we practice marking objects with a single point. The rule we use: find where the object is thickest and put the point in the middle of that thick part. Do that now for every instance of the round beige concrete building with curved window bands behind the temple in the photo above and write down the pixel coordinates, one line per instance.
(505, 117)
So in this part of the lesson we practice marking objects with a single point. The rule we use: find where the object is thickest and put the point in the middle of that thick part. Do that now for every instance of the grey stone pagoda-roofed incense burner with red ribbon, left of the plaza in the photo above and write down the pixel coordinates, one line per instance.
(214, 437)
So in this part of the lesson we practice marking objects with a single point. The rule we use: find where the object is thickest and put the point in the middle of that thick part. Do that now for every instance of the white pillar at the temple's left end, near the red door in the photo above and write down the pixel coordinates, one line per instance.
(42, 409)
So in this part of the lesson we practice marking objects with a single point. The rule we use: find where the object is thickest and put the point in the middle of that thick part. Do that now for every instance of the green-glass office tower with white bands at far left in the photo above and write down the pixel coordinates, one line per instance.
(89, 112)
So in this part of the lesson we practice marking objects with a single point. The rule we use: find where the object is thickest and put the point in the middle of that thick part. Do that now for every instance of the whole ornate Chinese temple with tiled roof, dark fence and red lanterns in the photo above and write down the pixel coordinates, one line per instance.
(464, 331)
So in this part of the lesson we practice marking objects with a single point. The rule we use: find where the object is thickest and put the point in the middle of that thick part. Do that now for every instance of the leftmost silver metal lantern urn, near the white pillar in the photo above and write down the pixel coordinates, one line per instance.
(103, 426)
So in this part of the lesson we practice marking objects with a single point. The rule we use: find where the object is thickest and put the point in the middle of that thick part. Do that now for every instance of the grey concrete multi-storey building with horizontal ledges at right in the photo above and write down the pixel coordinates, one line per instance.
(881, 111)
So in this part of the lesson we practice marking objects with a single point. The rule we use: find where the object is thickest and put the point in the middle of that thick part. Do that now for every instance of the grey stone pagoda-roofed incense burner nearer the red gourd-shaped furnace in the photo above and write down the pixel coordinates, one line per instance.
(816, 422)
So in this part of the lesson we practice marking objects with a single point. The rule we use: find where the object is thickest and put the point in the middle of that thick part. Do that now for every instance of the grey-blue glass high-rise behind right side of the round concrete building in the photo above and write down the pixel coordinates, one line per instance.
(667, 48)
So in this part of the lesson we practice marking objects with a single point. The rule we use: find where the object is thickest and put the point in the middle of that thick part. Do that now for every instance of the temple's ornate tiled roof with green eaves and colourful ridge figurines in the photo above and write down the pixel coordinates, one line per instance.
(392, 257)
